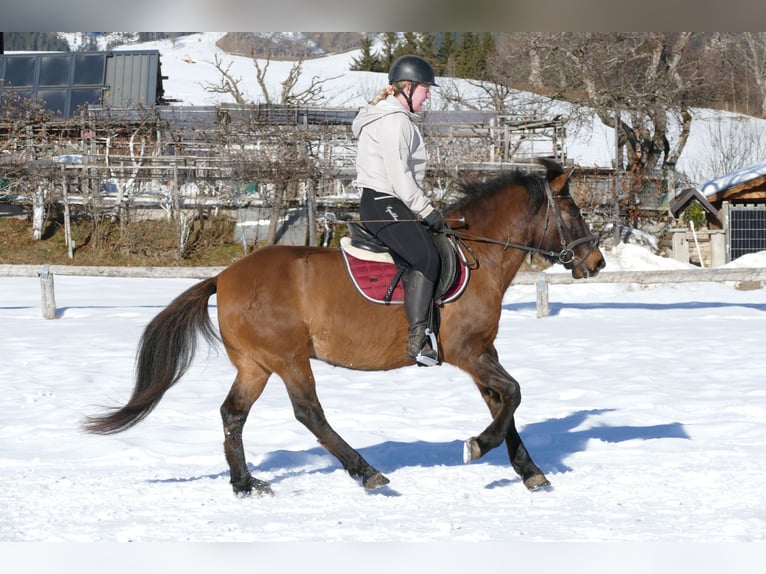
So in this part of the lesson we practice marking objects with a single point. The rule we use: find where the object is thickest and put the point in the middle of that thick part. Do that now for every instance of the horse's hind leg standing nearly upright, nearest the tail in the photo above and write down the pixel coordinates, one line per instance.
(246, 389)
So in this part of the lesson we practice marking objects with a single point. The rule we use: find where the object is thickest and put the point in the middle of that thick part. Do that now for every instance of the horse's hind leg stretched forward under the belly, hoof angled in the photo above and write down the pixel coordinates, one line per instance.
(301, 388)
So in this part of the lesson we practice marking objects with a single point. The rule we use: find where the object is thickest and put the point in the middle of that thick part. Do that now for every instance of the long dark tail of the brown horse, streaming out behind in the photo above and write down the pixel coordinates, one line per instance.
(165, 353)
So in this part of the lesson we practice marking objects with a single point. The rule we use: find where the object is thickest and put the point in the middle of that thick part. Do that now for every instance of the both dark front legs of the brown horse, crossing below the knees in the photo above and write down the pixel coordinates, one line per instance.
(502, 393)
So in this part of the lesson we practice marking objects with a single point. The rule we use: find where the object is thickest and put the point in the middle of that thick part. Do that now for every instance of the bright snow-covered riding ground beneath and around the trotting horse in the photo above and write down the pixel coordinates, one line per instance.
(645, 406)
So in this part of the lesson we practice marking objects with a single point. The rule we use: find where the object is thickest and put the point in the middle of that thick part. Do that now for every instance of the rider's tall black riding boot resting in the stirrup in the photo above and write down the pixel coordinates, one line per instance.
(418, 303)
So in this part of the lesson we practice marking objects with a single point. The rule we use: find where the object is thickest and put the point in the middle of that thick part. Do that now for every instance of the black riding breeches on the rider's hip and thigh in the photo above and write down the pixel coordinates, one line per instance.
(394, 224)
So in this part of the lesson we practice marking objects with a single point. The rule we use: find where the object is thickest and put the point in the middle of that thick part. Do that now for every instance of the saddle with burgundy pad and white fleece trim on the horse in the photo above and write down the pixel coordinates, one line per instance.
(377, 273)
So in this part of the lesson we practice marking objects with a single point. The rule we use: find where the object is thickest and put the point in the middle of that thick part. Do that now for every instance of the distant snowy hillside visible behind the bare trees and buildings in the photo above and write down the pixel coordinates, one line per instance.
(188, 63)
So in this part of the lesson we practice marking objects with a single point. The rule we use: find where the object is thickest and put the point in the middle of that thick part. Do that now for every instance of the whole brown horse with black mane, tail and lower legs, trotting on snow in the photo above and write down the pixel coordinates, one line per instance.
(283, 305)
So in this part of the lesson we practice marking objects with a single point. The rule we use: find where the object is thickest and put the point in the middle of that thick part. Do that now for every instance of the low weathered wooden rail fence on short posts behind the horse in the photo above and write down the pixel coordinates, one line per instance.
(542, 280)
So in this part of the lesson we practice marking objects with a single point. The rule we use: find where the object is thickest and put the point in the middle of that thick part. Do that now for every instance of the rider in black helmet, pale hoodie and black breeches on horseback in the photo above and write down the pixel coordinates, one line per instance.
(390, 164)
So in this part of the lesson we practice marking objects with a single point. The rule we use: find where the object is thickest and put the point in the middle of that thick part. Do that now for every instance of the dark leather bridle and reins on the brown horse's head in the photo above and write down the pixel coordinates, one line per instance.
(566, 256)
